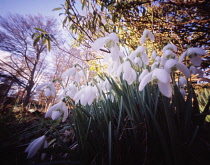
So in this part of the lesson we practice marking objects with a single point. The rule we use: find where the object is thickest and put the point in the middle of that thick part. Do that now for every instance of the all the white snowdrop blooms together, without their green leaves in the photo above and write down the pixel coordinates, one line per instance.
(136, 68)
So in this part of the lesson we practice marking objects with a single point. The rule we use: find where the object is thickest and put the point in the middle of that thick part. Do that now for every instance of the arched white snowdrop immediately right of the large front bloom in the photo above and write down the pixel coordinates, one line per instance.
(172, 65)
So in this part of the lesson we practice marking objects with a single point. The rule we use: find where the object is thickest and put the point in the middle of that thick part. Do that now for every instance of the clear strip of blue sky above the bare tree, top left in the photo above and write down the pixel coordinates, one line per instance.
(43, 7)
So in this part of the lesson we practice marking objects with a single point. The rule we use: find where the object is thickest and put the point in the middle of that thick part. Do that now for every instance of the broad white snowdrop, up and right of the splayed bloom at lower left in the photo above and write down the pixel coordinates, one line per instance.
(86, 95)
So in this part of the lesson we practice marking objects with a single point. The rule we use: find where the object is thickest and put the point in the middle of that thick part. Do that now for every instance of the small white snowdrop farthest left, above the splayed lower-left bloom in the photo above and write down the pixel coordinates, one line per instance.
(49, 89)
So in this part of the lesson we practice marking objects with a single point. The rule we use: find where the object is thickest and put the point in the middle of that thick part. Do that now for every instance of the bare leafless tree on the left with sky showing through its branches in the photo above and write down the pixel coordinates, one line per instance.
(25, 62)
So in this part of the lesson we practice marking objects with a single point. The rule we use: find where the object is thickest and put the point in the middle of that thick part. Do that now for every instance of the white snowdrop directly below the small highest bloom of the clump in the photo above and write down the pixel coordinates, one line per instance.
(139, 55)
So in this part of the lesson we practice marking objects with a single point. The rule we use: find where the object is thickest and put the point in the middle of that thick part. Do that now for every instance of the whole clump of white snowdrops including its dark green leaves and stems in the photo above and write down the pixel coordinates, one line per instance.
(152, 90)
